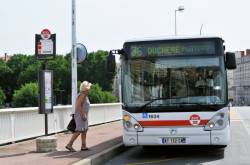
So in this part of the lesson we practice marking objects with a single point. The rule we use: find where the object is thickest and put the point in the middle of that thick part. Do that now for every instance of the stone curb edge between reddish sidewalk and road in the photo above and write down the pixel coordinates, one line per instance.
(101, 157)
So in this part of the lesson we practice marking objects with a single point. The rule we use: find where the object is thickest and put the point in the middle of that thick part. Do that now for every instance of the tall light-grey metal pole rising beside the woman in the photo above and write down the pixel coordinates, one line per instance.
(73, 57)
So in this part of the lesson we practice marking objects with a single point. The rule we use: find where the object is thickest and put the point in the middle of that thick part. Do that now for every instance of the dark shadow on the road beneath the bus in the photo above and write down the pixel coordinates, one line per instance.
(171, 155)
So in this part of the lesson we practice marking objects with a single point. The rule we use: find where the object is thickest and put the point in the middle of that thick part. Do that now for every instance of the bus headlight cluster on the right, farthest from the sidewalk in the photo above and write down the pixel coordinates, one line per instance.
(218, 122)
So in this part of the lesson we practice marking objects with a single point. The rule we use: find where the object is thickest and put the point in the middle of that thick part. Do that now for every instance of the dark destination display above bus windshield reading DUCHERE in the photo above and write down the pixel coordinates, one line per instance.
(155, 49)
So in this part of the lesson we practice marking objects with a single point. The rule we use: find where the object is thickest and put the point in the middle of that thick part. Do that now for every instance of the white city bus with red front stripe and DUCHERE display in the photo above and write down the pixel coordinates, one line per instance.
(174, 91)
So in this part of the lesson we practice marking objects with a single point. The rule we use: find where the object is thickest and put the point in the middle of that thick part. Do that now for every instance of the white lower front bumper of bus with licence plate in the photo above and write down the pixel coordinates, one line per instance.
(177, 136)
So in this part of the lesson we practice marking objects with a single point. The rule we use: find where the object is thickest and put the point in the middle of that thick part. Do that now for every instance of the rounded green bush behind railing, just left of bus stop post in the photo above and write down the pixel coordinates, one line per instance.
(26, 96)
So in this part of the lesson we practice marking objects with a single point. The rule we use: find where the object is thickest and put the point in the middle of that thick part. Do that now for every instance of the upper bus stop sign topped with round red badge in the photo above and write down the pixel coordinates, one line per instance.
(45, 45)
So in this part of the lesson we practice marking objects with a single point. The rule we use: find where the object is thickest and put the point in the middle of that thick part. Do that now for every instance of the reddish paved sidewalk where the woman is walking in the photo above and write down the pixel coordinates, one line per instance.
(99, 138)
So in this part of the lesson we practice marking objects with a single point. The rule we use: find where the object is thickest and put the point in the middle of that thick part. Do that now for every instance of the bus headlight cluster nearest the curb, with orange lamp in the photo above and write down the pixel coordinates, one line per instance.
(130, 124)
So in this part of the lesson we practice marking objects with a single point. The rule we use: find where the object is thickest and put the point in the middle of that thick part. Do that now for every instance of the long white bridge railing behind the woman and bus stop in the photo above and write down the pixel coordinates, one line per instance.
(23, 123)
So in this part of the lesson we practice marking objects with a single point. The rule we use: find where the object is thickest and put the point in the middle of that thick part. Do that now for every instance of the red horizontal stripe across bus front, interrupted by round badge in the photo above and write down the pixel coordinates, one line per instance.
(147, 123)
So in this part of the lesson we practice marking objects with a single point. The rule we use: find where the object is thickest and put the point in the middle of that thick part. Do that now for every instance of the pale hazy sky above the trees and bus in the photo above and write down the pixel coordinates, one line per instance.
(107, 24)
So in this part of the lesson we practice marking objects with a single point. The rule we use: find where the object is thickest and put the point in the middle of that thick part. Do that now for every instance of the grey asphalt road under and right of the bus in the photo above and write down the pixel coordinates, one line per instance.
(237, 152)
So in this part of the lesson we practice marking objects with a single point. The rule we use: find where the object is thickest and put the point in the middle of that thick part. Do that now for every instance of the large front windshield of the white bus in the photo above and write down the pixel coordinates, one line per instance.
(192, 79)
